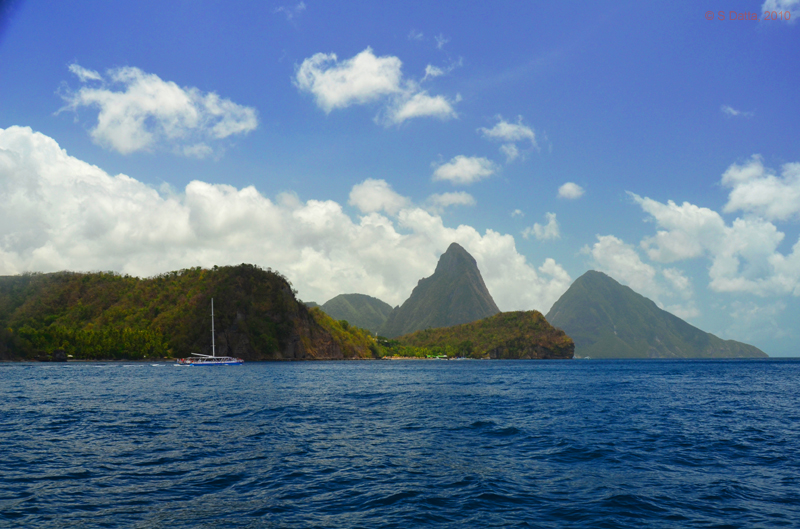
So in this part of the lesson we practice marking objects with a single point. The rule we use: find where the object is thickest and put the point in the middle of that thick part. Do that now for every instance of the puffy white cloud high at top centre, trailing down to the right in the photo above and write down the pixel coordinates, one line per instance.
(367, 78)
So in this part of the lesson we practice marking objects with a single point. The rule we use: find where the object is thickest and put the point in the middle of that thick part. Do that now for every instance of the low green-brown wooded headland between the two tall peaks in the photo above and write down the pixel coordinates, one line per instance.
(507, 335)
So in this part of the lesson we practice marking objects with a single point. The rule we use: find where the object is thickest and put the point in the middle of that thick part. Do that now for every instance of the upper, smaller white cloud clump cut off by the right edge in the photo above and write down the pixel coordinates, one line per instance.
(756, 189)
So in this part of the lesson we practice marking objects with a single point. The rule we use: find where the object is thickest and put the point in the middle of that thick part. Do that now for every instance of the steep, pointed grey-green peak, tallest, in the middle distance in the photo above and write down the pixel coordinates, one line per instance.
(454, 294)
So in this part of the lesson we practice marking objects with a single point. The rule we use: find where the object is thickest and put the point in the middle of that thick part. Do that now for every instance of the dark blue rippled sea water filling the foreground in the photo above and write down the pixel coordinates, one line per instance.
(402, 444)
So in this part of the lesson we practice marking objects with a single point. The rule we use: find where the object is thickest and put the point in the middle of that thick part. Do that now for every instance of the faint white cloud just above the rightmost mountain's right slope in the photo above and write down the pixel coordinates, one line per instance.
(622, 262)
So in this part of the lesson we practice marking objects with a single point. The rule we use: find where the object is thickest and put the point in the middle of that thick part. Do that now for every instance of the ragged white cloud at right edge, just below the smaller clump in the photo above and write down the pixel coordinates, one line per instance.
(744, 255)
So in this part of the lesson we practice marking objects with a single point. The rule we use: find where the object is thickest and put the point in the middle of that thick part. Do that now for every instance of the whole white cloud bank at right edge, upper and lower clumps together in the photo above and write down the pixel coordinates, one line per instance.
(743, 254)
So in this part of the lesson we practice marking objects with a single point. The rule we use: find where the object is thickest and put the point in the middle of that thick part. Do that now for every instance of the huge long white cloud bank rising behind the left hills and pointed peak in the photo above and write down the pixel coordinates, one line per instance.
(62, 213)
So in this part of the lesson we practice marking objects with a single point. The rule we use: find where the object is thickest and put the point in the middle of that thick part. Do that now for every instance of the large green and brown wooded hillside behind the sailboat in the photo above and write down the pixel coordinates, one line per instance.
(107, 315)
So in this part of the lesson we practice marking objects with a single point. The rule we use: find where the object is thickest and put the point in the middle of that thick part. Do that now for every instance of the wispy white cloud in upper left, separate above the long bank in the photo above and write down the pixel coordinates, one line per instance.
(146, 112)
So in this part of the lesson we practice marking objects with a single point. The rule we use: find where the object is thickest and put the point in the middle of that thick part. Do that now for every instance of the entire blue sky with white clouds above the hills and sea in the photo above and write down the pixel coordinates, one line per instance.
(347, 145)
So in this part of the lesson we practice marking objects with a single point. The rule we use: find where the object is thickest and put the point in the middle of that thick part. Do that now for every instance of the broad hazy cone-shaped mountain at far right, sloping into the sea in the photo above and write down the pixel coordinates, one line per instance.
(609, 320)
